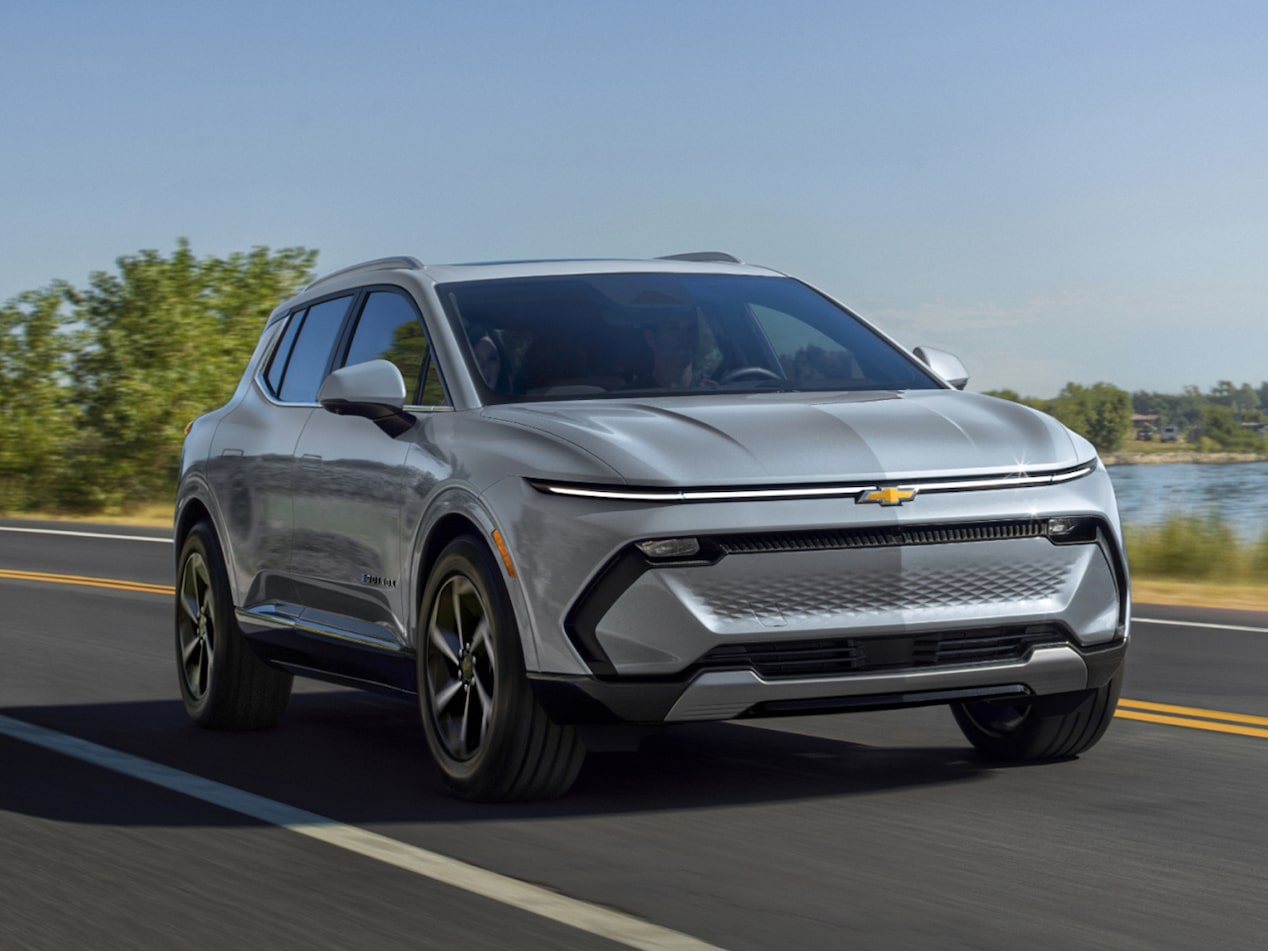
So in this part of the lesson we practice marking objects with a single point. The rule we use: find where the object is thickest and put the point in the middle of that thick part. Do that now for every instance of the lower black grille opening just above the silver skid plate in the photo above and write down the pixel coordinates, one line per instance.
(840, 656)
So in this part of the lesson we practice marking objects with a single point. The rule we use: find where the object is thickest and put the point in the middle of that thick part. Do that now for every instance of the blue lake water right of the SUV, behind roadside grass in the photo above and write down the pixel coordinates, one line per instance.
(1236, 491)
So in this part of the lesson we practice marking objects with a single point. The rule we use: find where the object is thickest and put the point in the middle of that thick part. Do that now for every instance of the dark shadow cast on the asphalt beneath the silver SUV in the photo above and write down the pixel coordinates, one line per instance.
(362, 759)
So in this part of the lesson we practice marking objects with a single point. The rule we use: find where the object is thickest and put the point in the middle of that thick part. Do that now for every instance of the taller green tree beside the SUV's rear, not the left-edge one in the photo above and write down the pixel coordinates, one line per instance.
(164, 342)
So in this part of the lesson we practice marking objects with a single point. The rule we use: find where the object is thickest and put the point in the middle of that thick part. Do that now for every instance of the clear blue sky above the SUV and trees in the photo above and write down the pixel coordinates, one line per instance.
(1053, 191)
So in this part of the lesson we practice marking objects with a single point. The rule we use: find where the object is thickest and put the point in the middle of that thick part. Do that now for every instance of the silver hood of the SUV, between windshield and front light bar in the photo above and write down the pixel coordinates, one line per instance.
(797, 438)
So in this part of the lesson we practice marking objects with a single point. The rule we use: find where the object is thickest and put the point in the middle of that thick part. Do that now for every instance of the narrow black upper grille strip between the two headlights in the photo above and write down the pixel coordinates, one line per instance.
(886, 537)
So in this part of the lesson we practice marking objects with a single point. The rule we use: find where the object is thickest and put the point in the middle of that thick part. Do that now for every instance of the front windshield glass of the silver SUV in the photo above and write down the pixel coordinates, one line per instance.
(619, 335)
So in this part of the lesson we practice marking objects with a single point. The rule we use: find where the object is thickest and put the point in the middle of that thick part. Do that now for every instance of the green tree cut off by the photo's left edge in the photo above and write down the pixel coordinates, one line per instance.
(40, 418)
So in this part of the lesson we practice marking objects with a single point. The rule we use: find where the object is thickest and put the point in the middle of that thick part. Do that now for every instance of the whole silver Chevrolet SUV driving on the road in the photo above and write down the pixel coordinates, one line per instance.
(562, 501)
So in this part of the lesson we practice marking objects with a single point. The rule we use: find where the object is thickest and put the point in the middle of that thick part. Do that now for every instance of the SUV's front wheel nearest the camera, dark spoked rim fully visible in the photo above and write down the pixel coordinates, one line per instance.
(486, 731)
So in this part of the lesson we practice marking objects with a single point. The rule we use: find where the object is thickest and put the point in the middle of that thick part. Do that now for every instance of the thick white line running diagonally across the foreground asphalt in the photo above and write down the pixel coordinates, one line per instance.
(594, 920)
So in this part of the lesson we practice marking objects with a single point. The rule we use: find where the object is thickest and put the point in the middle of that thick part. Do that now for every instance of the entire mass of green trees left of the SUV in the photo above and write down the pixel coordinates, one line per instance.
(108, 376)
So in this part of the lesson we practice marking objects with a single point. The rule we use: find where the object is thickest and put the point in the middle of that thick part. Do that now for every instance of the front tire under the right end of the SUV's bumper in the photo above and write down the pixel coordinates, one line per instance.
(1045, 728)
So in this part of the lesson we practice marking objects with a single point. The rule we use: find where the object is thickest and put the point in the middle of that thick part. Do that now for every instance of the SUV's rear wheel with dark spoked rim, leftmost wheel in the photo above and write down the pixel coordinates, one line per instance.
(223, 682)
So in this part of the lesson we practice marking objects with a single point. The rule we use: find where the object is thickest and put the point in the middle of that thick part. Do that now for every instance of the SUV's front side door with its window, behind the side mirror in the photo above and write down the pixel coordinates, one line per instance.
(351, 546)
